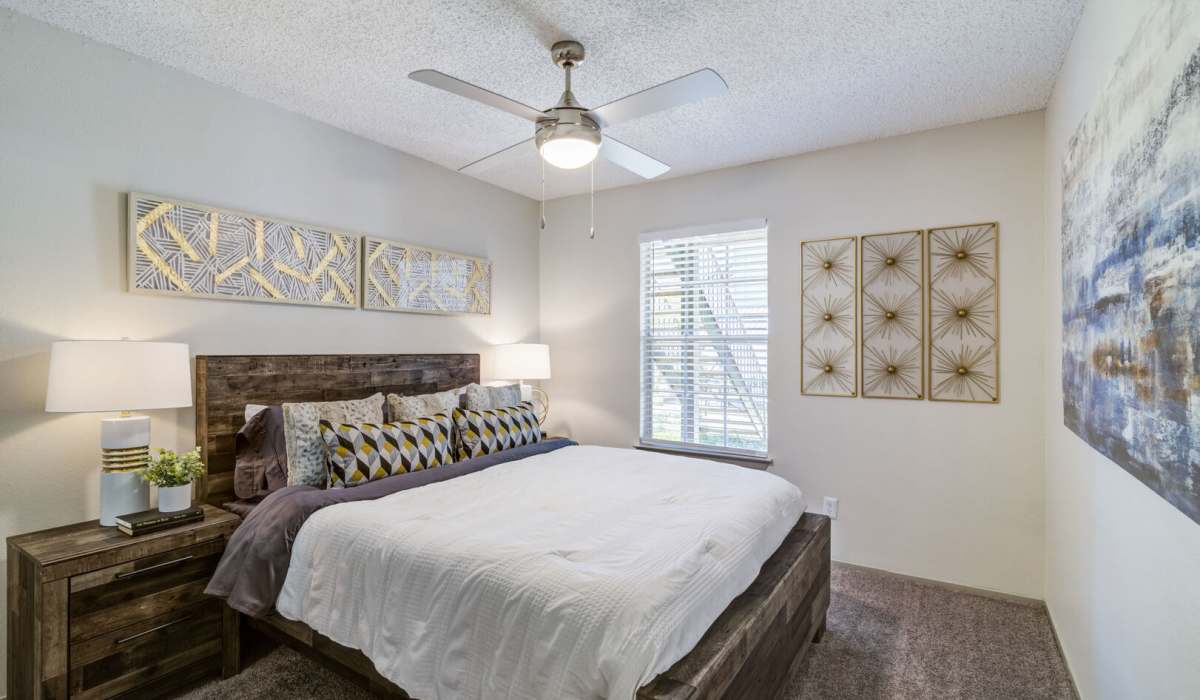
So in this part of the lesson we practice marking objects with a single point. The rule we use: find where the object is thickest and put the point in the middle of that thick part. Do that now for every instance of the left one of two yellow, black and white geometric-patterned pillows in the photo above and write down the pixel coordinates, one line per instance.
(365, 452)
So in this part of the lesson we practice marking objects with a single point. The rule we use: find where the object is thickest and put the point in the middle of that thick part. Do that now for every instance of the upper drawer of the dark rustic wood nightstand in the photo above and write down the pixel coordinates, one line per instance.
(119, 596)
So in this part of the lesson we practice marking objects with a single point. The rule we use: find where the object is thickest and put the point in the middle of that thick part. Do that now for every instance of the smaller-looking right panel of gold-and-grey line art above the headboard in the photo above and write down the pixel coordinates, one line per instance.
(406, 278)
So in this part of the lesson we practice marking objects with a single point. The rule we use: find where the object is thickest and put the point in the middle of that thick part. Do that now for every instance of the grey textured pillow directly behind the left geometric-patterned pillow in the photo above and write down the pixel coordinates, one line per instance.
(302, 432)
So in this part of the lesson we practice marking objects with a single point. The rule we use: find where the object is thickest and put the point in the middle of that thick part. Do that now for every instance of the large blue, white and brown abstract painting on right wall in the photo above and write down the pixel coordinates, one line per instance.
(1131, 261)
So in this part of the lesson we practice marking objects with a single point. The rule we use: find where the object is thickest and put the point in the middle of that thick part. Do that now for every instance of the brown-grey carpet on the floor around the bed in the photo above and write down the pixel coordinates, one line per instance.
(890, 638)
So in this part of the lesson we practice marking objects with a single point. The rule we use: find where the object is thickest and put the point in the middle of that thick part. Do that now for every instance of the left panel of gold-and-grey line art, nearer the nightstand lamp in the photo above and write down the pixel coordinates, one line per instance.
(193, 250)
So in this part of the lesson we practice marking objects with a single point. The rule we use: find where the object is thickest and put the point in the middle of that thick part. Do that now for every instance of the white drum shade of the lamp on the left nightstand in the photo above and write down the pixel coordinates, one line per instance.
(118, 375)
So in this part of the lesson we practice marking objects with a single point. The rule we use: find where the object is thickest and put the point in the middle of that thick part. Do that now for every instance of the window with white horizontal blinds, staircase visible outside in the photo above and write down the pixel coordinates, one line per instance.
(705, 339)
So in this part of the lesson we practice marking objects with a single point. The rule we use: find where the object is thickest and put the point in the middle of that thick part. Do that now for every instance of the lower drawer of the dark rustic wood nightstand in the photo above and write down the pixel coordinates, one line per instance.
(176, 643)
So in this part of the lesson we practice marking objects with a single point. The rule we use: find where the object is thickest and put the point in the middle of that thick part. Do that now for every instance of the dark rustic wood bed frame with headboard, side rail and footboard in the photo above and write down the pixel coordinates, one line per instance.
(748, 654)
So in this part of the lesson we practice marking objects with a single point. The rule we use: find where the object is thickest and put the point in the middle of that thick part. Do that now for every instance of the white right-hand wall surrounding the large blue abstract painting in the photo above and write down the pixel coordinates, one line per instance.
(1123, 564)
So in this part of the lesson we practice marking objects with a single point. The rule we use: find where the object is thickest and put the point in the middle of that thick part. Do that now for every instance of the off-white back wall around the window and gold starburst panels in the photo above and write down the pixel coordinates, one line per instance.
(947, 492)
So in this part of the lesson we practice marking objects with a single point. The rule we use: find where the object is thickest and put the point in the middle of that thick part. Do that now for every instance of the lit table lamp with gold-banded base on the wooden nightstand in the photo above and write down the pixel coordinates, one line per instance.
(94, 376)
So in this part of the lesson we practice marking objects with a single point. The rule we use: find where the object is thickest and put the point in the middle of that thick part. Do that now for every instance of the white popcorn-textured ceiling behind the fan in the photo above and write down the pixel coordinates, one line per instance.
(803, 75)
